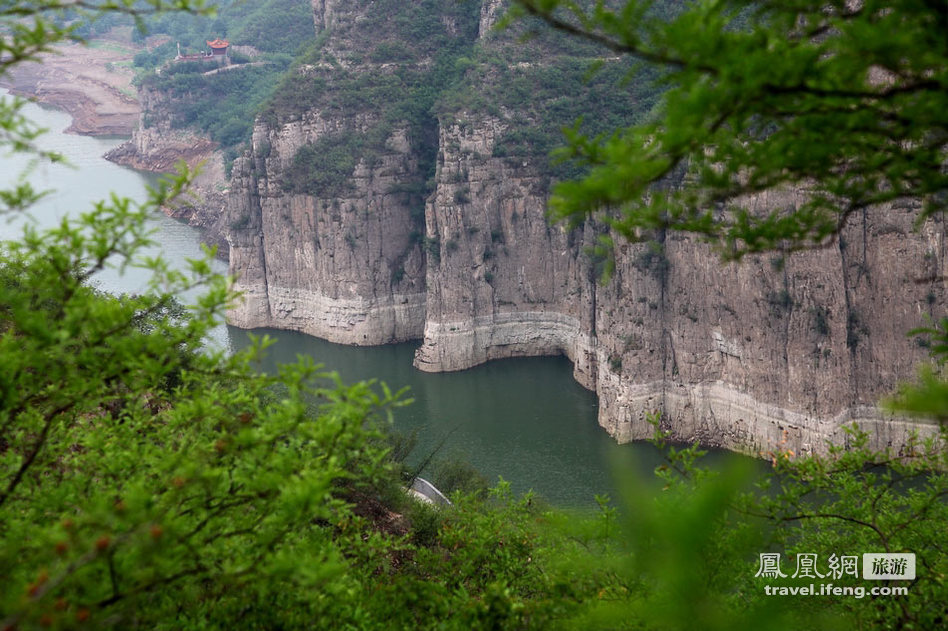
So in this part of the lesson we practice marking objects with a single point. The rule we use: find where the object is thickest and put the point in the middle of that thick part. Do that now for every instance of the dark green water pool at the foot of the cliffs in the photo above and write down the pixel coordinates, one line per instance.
(524, 419)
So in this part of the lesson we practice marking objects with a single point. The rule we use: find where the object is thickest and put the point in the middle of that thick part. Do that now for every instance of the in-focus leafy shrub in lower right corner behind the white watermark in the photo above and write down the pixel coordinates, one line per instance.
(856, 500)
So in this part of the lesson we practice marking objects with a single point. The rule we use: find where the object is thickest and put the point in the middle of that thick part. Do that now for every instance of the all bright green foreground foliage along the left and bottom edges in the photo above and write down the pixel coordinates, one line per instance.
(147, 482)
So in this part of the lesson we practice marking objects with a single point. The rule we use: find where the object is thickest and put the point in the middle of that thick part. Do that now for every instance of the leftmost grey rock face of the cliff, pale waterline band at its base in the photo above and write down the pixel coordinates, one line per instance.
(347, 268)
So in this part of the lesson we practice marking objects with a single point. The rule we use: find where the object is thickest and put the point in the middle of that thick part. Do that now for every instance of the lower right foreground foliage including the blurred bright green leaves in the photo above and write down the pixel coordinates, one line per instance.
(693, 545)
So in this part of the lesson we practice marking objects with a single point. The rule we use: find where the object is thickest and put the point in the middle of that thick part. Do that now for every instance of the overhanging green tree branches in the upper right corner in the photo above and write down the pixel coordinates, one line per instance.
(845, 100)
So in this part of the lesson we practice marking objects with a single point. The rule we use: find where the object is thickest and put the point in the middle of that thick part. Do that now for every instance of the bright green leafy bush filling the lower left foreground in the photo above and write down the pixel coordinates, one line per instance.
(137, 471)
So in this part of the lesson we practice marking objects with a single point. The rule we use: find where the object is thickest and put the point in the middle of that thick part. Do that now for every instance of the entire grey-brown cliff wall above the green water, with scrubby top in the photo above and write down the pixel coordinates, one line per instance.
(356, 220)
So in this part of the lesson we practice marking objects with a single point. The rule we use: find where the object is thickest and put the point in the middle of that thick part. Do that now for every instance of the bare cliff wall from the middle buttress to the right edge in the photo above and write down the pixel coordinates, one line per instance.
(768, 353)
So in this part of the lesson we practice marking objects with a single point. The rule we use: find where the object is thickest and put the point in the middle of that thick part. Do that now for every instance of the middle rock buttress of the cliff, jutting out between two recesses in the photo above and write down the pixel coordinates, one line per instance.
(502, 282)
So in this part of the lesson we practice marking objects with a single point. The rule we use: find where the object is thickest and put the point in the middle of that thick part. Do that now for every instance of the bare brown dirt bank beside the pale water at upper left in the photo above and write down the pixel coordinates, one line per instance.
(91, 82)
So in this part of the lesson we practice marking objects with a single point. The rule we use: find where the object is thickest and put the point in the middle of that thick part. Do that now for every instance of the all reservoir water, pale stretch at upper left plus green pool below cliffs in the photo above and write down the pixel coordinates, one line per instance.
(526, 420)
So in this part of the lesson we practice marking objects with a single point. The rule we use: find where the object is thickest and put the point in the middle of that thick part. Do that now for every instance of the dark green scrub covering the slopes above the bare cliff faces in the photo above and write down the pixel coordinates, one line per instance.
(501, 78)
